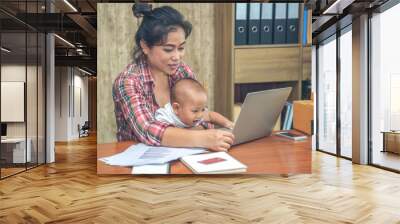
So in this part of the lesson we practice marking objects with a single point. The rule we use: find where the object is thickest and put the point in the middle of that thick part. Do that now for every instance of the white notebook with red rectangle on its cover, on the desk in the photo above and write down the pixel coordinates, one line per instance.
(213, 163)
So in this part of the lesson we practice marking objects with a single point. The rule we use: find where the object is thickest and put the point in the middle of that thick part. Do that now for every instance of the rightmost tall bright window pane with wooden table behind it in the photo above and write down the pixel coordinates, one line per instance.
(385, 89)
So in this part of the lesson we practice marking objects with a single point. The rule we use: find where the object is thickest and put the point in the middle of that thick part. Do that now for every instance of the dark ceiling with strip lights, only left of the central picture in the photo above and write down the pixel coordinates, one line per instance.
(74, 22)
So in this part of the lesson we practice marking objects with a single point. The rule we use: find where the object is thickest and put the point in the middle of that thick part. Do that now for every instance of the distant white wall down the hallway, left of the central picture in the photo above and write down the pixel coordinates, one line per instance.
(69, 82)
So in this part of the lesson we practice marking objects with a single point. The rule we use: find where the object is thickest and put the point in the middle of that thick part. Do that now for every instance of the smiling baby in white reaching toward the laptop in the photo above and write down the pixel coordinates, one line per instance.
(188, 107)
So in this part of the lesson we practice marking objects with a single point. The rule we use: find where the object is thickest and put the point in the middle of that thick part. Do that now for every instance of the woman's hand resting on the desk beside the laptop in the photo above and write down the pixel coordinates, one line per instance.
(217, 140)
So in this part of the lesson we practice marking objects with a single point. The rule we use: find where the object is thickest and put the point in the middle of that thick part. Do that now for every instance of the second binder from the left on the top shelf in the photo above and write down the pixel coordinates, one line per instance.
(254, 23)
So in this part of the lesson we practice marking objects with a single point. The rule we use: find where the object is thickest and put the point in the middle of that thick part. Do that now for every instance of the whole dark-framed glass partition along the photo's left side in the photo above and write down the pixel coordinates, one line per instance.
(22, 88)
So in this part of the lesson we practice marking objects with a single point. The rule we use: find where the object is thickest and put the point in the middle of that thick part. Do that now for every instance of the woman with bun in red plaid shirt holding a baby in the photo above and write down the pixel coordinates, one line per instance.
(144, 86)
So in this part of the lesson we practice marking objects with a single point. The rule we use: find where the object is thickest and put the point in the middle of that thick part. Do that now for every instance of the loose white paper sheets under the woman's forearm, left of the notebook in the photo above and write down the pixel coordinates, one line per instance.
(141, 154)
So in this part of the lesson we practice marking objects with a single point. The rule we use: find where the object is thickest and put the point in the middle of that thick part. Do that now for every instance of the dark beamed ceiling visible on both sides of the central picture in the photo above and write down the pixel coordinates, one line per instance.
(76, 22)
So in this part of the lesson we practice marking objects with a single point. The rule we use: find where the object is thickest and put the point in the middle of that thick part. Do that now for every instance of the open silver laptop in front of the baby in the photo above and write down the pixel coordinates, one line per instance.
(259, 113)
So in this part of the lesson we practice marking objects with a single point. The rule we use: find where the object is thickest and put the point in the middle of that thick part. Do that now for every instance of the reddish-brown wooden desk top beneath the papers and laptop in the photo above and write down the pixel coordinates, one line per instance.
(269, 155)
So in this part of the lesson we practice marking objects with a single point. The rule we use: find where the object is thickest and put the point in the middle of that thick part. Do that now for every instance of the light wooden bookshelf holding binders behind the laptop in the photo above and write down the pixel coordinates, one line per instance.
(246, 65)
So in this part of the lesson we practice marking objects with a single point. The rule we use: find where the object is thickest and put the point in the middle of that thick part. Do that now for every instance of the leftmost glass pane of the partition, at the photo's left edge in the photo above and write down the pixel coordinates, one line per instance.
(13, 87)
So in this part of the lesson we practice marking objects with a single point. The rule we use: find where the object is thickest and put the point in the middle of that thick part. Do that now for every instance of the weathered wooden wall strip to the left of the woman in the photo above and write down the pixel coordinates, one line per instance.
(115, 30)
